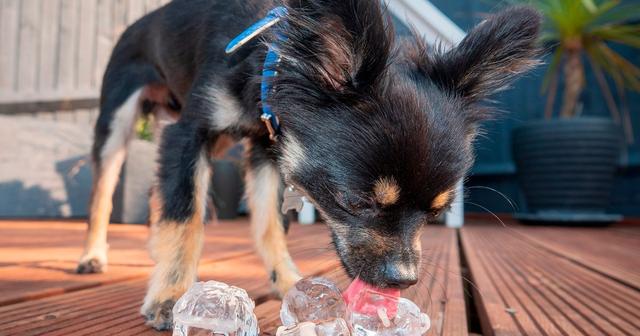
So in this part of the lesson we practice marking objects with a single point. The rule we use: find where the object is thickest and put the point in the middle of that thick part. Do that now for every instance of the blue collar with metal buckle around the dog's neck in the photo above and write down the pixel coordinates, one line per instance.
(269, 69)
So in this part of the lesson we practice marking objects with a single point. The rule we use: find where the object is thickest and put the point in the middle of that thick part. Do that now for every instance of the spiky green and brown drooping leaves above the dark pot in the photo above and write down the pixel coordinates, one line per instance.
(588, 27)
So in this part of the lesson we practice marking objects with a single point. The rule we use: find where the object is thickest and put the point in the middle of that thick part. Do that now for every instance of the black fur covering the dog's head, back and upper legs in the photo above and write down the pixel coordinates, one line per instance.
(360, 104)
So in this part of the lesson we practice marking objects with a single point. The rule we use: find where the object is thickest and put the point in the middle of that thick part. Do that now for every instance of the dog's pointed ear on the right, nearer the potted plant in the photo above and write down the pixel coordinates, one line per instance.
(489, 57)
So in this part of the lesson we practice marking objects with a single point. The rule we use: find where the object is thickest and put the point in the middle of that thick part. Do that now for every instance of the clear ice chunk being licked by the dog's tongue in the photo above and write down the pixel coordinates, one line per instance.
(365, 320)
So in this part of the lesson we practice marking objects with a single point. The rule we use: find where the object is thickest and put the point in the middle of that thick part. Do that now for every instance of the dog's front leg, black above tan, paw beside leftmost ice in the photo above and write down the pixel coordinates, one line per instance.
(178, 210)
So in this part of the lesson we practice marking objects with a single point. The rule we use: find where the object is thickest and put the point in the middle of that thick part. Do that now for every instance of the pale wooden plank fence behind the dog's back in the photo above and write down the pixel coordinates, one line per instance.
(53, 52)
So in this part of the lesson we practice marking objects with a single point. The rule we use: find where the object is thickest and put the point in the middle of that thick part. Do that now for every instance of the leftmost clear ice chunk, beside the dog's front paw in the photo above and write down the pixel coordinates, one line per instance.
(214, 308)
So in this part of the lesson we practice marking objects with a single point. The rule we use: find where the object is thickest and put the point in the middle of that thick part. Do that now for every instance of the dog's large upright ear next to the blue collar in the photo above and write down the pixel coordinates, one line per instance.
(341, 45)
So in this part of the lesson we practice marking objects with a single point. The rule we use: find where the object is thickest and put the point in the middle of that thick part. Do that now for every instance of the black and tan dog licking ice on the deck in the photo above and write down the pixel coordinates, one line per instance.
(374, 129)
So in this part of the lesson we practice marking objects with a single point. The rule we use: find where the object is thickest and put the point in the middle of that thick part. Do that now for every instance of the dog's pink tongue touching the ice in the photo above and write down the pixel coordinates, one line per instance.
(367, 299)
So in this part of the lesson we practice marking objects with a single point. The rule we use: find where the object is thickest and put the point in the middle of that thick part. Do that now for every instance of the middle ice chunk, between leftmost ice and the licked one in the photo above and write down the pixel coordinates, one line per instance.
(312, 300)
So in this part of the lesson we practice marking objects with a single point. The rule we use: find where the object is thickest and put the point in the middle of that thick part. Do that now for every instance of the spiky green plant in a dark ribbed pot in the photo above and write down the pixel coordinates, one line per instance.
(567, 163)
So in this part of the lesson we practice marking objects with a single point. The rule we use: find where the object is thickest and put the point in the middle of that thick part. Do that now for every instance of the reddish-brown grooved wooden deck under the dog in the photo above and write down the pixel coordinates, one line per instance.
(526, 280)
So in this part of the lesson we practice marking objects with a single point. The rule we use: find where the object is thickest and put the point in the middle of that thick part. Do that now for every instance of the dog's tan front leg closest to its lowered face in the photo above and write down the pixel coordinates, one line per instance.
(263, 190)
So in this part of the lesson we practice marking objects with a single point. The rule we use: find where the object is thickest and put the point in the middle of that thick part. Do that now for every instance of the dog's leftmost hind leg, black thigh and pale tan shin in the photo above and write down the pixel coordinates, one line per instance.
(120, 105)
